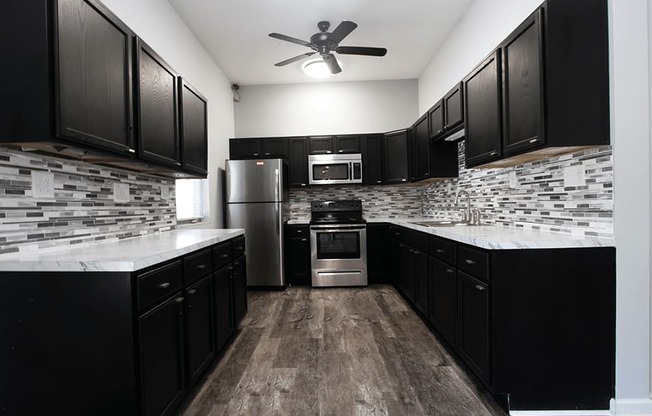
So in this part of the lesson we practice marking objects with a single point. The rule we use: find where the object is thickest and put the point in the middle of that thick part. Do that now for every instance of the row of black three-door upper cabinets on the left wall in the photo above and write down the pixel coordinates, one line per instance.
(82, 88)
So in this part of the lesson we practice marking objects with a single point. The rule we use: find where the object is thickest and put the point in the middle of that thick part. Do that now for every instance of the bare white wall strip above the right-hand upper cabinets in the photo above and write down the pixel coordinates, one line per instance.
(483, 27)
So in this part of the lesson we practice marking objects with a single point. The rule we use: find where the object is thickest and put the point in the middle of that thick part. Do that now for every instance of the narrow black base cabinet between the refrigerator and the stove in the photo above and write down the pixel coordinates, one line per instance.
(297, 255)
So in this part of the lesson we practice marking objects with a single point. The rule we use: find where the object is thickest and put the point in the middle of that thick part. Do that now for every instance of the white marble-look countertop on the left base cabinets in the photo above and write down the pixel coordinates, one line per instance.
(116, 256)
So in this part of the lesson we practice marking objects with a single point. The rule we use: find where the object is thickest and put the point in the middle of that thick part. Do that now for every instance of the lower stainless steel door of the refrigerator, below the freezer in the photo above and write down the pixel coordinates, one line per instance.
(263, 225)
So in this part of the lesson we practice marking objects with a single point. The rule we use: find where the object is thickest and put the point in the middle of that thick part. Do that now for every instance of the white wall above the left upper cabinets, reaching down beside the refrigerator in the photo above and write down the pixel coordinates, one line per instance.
(156, 22)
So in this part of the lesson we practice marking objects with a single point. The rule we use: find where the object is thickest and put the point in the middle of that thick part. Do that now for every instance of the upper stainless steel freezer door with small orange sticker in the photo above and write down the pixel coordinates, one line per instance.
(254, 180)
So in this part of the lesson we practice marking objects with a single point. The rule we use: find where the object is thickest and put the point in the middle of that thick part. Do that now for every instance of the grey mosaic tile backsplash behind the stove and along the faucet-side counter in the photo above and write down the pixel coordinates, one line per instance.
(570, 194)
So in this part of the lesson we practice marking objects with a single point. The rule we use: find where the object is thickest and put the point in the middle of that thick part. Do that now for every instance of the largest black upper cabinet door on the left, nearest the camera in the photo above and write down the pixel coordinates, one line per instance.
(93, 68)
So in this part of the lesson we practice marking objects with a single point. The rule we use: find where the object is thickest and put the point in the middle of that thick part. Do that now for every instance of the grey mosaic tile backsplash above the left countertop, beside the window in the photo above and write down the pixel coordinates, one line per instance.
(86, 205)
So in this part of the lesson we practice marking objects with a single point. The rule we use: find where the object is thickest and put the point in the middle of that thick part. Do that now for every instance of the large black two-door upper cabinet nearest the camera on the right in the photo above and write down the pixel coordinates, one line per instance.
(552, 78)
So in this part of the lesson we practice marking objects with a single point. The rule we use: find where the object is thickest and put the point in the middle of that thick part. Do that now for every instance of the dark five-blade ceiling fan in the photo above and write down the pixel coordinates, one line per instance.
(325, 42)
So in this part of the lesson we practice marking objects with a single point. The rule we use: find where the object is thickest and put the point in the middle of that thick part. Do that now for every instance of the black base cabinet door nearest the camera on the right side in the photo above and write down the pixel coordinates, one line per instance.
(473, 312)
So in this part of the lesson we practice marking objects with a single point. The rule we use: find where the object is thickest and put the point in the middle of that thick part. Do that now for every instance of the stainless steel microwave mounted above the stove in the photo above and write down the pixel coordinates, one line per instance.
(335, 169)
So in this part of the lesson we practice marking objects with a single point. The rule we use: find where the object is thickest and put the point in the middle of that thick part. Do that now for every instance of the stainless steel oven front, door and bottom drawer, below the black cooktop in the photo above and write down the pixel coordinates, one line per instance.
(338, 255)
